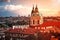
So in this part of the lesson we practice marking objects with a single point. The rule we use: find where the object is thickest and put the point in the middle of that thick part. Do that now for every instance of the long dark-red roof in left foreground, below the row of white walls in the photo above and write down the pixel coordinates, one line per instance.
(24, 31)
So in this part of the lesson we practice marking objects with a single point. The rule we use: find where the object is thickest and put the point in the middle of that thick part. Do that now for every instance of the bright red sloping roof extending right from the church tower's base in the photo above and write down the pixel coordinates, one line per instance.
(48, 23)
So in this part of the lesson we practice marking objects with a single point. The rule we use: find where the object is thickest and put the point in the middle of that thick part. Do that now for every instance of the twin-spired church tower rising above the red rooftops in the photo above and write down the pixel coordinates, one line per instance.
(35, 18)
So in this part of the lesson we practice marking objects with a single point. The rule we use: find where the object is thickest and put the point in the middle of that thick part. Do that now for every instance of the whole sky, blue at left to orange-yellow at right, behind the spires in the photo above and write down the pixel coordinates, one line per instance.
(24, 7)
